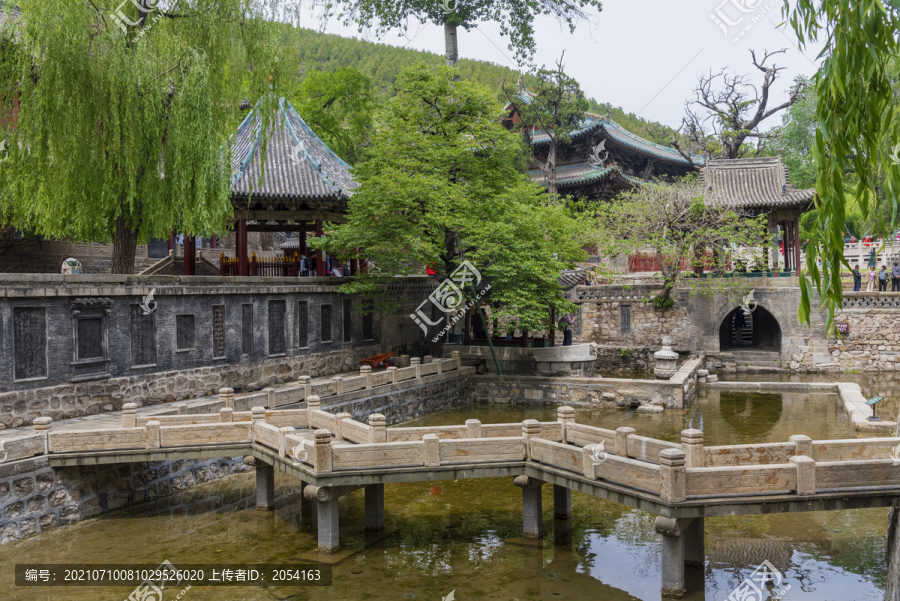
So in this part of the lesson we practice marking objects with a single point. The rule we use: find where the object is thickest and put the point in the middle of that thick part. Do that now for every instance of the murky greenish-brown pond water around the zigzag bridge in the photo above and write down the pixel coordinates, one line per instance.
(466, 536)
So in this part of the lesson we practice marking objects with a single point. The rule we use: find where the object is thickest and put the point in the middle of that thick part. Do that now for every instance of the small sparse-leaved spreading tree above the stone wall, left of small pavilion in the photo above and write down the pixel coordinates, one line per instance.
(674, 222)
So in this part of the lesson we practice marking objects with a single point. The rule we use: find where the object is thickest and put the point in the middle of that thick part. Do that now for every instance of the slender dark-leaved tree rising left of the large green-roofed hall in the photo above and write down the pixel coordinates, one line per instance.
(556, 106)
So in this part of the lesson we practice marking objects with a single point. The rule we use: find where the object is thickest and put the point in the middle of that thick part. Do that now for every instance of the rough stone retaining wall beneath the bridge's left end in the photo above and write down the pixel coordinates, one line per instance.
(35, 497)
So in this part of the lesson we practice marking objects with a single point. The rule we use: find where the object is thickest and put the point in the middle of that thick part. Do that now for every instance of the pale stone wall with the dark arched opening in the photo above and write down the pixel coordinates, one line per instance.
(627, 329)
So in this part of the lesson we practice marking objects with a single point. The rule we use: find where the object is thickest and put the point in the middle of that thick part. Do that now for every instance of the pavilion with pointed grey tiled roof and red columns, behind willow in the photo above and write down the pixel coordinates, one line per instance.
(301, 185)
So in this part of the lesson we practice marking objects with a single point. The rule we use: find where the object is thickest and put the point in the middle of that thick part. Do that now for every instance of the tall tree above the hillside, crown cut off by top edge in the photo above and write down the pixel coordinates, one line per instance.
(516, 17)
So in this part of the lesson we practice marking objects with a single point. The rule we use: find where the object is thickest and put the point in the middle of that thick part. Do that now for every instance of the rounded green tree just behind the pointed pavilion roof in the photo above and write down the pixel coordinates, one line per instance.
(338, 107)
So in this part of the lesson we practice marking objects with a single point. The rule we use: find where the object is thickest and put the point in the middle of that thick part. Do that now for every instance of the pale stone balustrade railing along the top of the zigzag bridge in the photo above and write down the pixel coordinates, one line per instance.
(673, 472)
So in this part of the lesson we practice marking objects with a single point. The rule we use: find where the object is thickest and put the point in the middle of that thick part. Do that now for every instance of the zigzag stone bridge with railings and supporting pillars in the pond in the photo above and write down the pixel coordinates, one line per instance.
(334, 455)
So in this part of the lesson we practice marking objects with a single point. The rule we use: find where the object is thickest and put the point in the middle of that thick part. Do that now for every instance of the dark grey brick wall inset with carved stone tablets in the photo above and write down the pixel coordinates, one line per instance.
(81, 345)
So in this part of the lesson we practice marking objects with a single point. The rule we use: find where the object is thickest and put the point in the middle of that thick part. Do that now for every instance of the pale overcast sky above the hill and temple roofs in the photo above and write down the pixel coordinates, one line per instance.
(641, 55)
